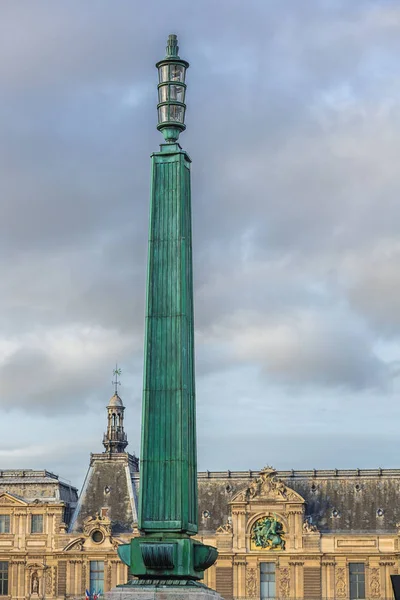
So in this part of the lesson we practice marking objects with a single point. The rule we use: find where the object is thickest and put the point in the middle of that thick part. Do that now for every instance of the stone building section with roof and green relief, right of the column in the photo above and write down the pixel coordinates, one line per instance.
(302, 534)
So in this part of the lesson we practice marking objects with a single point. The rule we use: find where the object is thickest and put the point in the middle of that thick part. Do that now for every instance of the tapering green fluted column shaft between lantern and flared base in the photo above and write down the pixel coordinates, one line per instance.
(168, 495)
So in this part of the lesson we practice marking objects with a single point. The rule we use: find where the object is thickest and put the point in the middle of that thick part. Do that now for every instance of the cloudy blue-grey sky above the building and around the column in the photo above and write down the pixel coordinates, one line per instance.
(293, 125)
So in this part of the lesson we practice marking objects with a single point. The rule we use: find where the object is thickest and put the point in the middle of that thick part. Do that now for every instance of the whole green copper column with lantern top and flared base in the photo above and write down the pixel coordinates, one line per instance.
(168, 481)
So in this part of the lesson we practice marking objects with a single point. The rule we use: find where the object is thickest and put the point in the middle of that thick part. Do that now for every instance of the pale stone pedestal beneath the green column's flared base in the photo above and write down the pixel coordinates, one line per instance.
(159, 591)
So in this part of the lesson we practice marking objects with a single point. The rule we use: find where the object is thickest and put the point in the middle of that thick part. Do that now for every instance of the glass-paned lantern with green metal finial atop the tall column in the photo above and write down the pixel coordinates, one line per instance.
(171, 92)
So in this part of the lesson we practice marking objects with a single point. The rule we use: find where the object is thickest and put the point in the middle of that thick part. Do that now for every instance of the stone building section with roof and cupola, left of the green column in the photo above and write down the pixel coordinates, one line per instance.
(55, 545)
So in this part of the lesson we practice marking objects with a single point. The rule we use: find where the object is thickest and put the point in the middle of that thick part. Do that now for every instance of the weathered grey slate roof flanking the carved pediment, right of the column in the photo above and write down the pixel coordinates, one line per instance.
(357, 500)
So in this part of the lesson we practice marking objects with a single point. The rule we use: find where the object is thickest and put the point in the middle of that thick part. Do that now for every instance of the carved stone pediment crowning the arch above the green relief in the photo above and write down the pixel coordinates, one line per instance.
(267, 486)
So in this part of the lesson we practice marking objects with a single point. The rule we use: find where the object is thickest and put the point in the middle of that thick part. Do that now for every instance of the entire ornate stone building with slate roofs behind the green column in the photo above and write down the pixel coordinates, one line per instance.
(285, 535)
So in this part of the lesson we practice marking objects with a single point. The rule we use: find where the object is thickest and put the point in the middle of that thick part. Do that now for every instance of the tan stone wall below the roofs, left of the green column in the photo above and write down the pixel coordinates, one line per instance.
(56, 562)
